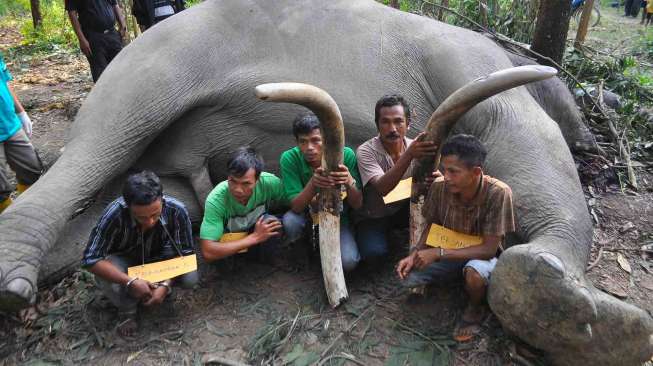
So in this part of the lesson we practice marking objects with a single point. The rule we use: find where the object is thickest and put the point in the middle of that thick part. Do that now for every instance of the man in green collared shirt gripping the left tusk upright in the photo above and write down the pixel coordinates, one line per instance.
(303, 177)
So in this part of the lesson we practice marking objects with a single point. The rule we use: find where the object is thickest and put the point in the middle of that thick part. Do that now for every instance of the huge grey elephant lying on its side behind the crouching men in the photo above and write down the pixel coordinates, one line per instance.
(180, 98)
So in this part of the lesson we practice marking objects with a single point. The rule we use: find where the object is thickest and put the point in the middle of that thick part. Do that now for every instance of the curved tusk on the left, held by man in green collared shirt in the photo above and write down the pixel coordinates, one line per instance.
(333, 136)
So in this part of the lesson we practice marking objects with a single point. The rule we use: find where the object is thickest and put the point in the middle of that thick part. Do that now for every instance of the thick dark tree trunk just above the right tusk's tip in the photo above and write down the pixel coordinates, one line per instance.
(551, 30)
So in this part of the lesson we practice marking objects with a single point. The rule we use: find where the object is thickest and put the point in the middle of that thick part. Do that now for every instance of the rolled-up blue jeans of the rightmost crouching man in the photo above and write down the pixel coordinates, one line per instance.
(449, 270)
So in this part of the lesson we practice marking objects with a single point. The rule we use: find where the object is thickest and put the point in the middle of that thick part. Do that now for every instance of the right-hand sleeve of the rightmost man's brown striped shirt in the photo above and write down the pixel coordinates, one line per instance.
(499, 216)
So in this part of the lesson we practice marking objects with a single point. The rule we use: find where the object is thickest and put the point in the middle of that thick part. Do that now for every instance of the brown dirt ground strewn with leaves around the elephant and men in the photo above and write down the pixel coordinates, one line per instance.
(260, 313)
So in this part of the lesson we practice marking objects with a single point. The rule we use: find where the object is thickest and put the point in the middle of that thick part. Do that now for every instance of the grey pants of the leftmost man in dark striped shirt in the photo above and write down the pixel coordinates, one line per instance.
(119, 295)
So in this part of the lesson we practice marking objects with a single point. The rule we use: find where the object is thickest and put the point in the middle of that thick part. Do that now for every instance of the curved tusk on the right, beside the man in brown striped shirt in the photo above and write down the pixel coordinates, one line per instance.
(445, 117)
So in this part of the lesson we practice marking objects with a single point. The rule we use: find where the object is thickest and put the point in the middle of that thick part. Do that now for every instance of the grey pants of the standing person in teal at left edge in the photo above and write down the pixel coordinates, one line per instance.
(23, 160)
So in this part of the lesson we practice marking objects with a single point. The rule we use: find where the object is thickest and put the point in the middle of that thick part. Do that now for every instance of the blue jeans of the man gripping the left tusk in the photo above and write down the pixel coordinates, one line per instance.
(294, 225)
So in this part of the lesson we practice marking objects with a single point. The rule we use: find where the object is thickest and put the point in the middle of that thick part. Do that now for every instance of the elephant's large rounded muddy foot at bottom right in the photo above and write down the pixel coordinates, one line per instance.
(542, 300)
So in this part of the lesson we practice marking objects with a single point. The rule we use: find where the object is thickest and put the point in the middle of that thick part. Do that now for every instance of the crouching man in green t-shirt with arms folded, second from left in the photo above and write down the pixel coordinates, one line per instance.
(241, 204)
